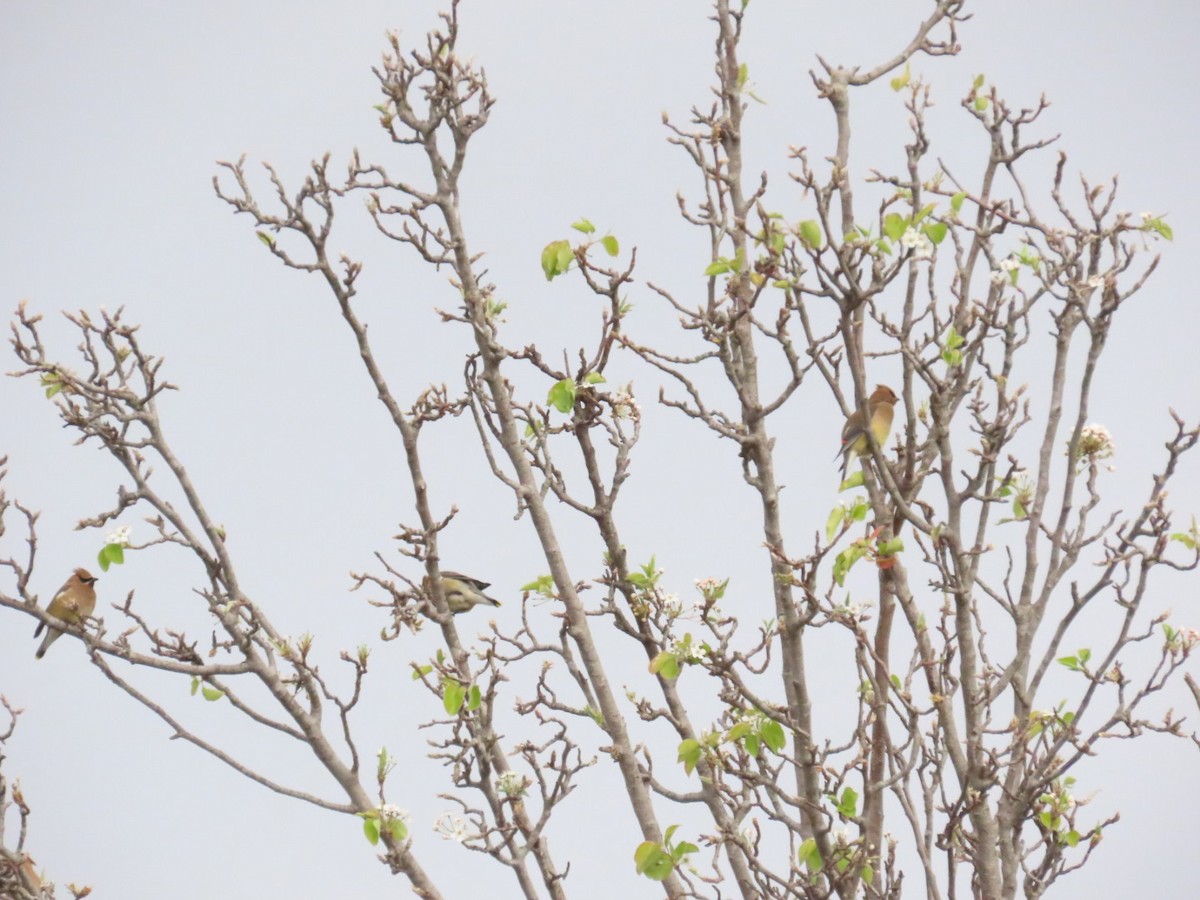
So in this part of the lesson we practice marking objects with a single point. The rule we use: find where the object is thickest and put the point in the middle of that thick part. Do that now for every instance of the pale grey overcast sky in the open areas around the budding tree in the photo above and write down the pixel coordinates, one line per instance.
(113, 117)
